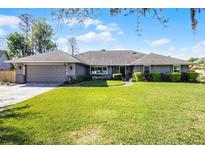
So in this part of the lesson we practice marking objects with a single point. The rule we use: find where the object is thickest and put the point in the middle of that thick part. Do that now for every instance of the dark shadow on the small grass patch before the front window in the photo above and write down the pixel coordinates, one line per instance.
(95, 83)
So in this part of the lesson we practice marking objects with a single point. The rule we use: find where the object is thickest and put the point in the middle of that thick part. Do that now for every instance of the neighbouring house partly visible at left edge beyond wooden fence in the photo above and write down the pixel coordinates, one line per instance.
(3, 57)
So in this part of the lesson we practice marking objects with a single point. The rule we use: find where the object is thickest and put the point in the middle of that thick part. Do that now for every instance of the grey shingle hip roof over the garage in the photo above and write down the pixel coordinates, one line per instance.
(52, 56)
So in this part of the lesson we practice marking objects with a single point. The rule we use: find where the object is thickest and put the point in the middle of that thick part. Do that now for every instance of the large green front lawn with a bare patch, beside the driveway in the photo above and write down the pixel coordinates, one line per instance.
(144, 113)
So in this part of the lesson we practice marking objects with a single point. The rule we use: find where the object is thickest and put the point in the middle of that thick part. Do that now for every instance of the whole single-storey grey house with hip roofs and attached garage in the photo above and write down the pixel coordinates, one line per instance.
(59, 66)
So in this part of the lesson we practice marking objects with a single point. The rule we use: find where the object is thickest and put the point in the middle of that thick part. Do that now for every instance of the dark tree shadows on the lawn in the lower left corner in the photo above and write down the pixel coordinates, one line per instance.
(10, 134)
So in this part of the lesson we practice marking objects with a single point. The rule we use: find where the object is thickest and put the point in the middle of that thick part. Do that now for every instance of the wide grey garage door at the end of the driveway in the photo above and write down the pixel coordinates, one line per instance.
(46, 74)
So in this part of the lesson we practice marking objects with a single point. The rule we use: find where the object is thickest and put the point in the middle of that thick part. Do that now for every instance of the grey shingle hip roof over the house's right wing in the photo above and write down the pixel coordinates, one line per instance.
(156, 59)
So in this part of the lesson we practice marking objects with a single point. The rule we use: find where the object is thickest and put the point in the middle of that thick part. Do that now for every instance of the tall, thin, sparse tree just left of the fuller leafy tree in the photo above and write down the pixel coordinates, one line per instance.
(25, 25)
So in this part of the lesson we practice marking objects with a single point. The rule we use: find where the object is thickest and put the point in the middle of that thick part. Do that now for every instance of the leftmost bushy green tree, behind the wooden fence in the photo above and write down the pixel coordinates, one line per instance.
(16, 45)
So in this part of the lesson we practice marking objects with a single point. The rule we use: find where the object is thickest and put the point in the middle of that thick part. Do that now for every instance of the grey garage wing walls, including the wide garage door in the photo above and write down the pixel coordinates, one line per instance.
(48, 72)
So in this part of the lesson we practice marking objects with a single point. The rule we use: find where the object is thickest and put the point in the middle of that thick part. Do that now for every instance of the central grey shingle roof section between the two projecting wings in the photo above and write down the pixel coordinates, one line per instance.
(109, 57)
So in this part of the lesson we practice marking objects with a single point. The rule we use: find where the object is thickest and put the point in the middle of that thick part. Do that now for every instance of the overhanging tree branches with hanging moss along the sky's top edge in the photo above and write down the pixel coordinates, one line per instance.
(156, 14)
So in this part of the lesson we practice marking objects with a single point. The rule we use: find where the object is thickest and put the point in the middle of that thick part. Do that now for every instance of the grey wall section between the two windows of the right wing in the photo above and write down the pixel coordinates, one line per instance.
(162, 68)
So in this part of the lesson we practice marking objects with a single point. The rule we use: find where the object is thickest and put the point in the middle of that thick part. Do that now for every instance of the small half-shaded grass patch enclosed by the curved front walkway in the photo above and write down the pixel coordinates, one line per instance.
(102, 83)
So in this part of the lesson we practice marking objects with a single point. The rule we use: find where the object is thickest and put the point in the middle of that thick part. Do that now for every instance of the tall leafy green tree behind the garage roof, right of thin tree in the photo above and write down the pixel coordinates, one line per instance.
(42, 35)
